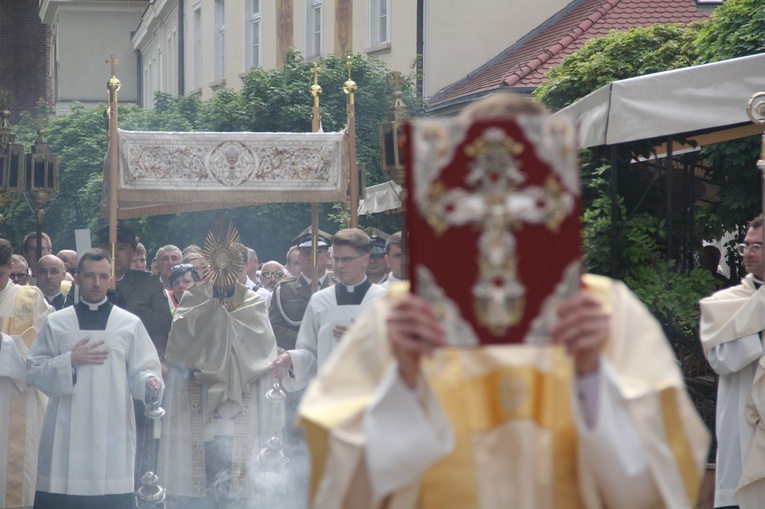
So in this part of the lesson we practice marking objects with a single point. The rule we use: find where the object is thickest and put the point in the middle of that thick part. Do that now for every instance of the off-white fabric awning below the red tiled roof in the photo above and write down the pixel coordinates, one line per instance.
(710, 97)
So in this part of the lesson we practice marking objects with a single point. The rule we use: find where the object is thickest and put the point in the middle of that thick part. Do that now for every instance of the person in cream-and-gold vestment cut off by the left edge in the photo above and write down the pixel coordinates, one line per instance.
(22, 407)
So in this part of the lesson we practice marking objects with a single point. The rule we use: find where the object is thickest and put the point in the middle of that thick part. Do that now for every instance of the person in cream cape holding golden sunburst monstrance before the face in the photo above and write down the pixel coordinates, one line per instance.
(218, 352)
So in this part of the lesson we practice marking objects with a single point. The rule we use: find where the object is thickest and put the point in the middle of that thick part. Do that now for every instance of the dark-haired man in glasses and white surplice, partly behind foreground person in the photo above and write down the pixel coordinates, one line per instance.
(330, 311)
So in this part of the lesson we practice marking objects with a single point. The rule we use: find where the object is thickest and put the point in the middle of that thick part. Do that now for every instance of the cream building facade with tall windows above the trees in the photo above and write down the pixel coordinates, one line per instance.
(218, 41)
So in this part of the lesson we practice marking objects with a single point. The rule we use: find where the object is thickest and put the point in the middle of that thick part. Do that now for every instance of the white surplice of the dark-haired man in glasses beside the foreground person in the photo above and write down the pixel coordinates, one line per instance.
(315, 340)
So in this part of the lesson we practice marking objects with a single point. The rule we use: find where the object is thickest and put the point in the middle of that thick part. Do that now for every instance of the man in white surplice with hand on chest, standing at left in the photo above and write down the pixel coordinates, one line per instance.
(91, 360)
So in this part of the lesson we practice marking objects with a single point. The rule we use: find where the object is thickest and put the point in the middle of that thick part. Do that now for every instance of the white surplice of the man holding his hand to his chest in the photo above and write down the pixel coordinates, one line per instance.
(88, 441)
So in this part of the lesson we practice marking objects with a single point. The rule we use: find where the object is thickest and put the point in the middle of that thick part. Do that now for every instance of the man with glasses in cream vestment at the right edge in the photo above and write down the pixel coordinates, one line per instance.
(732, 321)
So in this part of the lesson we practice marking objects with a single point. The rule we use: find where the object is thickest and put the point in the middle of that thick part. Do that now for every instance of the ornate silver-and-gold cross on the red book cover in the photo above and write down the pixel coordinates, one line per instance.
(496, 201)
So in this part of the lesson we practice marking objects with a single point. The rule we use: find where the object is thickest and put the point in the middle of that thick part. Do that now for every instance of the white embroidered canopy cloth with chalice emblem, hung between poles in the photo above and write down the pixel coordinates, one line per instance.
(167, 173)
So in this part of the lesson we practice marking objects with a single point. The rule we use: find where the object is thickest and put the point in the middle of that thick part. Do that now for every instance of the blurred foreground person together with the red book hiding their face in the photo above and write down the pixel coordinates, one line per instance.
(538, 388)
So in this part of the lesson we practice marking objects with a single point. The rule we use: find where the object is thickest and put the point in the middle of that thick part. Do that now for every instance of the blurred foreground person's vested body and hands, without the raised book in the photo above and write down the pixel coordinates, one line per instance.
(517, 426)
